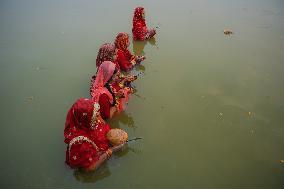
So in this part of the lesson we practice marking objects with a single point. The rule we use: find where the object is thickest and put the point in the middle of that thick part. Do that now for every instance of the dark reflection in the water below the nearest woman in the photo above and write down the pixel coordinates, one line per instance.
(92, 176)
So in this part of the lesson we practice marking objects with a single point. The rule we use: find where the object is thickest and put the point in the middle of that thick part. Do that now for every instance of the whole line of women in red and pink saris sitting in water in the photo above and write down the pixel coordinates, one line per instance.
(90, 140)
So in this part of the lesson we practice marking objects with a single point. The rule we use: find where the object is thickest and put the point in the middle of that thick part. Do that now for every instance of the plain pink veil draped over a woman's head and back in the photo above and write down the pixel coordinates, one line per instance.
(104, 73)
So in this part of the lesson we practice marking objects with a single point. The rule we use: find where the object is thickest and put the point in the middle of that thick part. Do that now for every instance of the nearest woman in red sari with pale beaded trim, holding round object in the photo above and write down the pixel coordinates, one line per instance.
(87, 136)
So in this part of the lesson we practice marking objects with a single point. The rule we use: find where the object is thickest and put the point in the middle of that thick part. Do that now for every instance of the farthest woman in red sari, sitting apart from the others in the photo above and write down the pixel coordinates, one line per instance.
(139, 29)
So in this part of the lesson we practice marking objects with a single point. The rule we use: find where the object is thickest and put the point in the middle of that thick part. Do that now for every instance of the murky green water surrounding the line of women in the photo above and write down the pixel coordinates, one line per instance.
(209, 107)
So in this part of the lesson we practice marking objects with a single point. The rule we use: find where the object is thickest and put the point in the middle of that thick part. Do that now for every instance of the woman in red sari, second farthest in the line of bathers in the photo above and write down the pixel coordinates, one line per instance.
(124, 58)
